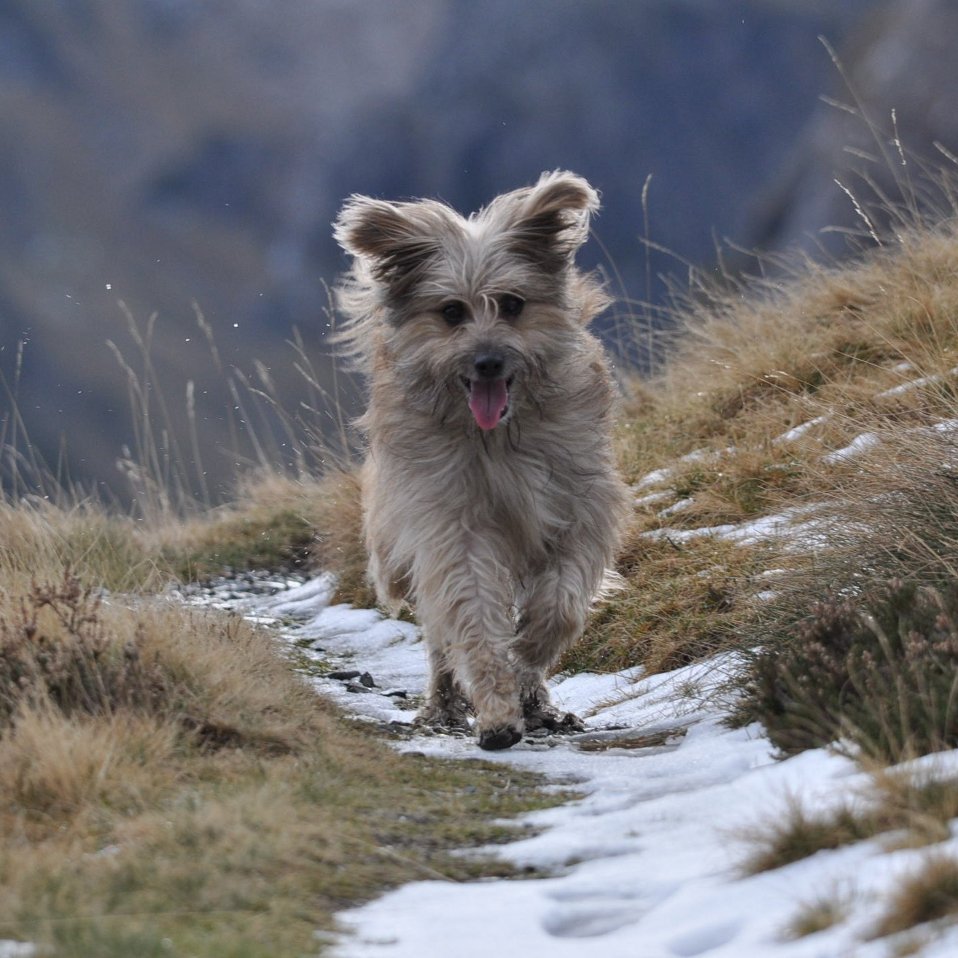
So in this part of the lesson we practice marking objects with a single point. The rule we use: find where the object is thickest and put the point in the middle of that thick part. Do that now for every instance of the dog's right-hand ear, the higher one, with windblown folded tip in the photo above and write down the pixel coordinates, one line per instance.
(548, 222)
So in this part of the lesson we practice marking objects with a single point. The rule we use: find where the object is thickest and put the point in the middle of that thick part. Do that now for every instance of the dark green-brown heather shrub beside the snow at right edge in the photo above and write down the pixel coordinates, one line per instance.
(876, 670)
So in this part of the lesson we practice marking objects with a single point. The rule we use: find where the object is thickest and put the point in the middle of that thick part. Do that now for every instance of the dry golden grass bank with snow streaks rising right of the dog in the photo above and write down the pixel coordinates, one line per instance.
(866, 347)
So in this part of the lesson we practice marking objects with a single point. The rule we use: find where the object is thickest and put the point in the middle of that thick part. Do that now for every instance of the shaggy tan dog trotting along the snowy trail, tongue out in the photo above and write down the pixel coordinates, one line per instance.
(491, 501)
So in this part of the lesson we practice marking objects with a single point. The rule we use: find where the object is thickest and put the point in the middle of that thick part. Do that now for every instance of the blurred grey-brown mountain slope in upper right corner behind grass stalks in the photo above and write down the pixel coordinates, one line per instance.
(902, 84)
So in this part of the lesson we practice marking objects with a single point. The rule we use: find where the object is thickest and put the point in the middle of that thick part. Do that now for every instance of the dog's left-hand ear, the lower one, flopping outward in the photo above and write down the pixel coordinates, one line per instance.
(398, 239)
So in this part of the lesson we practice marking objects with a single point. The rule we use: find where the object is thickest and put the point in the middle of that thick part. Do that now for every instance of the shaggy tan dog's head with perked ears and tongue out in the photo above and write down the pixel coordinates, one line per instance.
(476, 314)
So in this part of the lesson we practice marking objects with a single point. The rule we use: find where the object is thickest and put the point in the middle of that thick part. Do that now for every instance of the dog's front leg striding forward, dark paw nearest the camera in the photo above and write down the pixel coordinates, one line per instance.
(463, 601)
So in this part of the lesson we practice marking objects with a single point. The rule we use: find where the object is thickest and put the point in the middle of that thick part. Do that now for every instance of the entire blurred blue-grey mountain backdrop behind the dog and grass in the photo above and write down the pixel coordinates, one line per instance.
(164, 160)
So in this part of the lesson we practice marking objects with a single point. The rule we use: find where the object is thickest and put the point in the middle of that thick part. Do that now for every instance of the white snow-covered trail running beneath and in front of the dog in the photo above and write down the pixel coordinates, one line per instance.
(647, 864)
